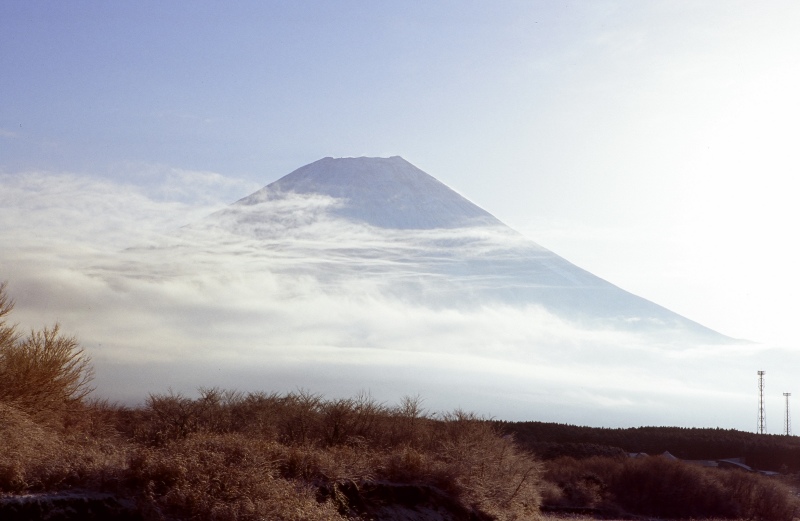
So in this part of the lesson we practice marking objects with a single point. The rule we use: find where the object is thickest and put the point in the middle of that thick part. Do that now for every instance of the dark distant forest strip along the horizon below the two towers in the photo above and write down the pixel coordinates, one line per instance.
(761, 451)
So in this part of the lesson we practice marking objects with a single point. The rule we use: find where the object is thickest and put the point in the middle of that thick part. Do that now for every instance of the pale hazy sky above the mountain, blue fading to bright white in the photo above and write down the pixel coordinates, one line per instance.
(651, 143)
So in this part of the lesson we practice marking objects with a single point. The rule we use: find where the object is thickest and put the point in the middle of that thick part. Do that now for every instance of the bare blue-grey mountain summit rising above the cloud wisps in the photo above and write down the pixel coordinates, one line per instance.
(384, 192)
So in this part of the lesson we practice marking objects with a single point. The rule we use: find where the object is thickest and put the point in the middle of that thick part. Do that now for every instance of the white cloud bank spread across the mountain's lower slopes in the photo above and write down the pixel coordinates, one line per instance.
(236, 314)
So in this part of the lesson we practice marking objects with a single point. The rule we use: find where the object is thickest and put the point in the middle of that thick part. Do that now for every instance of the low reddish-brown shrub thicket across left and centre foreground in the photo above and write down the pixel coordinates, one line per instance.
(183, 458)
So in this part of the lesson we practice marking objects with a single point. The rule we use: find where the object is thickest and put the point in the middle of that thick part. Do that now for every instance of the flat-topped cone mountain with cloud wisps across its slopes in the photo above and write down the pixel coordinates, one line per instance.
(384, 223)
